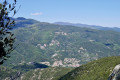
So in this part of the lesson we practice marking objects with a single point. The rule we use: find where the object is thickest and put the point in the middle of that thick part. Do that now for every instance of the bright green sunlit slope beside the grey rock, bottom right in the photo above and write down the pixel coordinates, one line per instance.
(95, 70)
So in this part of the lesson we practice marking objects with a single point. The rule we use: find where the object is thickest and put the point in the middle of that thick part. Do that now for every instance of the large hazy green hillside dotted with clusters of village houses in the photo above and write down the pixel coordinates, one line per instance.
(67, 46)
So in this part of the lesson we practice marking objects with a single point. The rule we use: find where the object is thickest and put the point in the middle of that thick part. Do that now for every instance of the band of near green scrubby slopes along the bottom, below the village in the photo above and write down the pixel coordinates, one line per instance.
(95, 70)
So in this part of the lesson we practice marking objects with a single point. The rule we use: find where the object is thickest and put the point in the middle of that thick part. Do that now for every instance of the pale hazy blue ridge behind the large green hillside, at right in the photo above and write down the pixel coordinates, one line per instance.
(88, 26)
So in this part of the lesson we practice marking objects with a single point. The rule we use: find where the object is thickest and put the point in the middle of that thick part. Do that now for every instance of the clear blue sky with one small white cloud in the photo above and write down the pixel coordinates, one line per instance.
(93, 12)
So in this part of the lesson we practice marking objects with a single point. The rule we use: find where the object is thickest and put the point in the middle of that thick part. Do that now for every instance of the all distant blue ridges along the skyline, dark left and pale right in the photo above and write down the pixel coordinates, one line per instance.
(23, 21)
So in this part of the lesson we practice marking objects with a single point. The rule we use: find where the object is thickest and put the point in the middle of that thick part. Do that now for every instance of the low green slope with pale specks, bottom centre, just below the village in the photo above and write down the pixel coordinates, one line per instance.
(46, 74)
